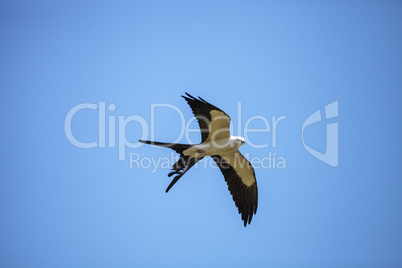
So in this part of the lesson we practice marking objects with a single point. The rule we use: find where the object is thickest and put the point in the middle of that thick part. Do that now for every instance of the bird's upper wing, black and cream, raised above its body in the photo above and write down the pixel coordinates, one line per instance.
(213, 122)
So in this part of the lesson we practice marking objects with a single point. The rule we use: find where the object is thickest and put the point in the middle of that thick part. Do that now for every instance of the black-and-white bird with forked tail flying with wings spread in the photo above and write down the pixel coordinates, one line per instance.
(217, 142)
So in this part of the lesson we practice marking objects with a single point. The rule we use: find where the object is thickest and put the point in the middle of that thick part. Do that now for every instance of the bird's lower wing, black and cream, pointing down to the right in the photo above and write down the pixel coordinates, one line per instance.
(240, 177)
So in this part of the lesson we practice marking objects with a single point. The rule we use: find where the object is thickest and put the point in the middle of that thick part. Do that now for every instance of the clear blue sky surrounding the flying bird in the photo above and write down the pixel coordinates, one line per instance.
(64, 206)
